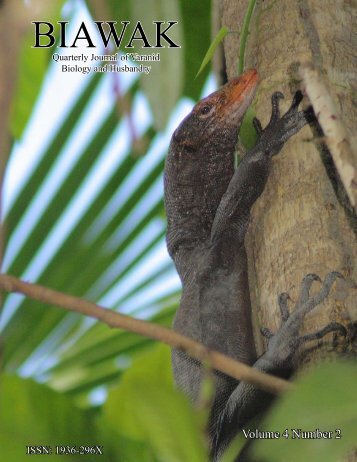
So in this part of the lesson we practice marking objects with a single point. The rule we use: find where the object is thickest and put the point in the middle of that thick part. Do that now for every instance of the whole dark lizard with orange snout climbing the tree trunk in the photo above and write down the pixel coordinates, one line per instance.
(208, 206)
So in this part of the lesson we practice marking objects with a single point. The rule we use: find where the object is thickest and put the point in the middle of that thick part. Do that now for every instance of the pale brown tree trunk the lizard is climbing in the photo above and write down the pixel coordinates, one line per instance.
(300, 224)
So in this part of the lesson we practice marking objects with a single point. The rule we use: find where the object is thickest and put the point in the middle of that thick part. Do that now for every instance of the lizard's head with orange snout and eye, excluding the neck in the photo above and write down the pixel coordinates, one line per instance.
(219, 114)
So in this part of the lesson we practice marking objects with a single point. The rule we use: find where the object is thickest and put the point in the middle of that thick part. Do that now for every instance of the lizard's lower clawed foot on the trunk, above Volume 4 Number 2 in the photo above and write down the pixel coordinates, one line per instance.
(283, 345)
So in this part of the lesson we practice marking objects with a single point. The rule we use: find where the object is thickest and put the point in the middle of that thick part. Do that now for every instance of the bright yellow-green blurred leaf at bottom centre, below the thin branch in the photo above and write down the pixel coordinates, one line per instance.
(146, 407)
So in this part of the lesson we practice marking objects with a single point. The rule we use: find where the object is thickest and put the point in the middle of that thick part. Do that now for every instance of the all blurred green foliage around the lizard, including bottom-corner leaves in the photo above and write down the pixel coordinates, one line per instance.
(83, 214)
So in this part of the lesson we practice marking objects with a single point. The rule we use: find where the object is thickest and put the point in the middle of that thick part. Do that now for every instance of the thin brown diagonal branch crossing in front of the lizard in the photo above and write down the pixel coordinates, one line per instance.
(194, 349)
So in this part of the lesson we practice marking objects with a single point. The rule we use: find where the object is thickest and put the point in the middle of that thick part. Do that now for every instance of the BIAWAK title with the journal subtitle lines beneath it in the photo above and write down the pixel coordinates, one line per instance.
(124, 37)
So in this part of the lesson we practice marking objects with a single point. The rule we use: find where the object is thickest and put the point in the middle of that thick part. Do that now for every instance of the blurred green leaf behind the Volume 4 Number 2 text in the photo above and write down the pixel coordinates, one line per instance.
(324, 400)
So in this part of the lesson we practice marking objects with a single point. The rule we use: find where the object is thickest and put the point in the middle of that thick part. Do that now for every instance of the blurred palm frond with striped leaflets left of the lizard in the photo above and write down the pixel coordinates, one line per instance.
(89, 218)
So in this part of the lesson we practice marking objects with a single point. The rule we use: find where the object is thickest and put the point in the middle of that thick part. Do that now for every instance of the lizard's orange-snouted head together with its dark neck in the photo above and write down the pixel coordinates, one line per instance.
(200, 161)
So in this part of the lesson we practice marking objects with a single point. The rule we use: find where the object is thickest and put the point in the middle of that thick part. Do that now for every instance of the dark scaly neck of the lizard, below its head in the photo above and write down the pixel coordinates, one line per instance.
(194, 189)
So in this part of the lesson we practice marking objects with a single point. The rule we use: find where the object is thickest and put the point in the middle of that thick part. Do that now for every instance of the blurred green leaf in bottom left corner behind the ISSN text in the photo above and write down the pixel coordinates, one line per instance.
(32, 414)
